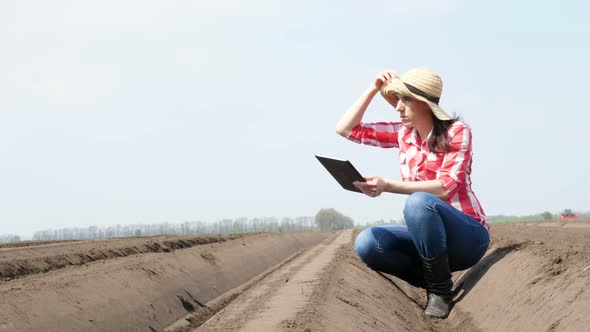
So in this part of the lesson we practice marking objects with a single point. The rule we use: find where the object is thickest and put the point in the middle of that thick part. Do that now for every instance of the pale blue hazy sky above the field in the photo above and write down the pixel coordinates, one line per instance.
(124, 112)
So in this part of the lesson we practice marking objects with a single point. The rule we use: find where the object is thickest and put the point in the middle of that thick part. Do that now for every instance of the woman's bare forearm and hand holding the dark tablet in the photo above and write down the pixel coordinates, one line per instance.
(376, 185)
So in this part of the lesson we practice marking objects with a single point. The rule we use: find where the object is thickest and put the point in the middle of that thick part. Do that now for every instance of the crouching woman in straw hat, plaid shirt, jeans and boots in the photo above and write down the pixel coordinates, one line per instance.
(446, 226)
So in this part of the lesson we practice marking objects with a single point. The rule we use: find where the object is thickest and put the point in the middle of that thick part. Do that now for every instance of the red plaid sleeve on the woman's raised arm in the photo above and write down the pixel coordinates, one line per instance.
(381, 134)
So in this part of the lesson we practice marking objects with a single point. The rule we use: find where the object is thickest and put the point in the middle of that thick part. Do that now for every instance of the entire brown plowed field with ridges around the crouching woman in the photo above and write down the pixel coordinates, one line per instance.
(535, 277)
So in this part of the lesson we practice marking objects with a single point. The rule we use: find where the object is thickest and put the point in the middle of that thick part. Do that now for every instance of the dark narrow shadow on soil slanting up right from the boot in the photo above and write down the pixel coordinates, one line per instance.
(475, 273)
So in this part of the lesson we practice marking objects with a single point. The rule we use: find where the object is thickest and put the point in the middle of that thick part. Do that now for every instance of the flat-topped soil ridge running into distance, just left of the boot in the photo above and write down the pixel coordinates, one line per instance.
(329, 289)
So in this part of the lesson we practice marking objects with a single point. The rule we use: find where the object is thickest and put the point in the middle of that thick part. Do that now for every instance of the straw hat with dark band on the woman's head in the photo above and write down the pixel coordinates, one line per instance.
(421, 83)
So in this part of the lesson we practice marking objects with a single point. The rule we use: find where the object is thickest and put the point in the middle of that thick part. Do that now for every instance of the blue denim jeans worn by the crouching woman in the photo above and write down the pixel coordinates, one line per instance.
(433, 228)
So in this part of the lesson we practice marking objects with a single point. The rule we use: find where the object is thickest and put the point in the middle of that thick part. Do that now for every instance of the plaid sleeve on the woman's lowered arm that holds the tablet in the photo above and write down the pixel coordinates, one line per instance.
(455, 165)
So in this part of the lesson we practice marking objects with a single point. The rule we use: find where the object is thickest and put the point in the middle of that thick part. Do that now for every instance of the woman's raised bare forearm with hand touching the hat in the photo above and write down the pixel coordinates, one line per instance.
(355, 112)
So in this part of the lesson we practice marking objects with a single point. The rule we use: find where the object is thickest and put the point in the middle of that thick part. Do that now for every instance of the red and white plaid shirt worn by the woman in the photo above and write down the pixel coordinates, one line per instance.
(418, 163)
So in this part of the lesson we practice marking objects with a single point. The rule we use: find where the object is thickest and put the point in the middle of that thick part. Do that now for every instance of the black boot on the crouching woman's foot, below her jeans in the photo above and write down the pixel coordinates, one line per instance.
(437, 275)
